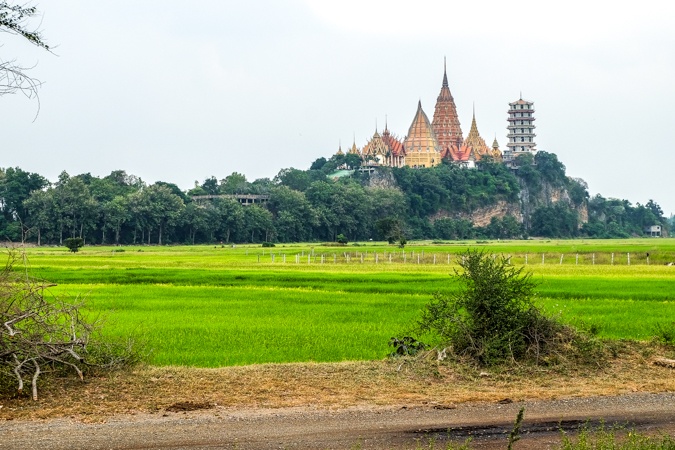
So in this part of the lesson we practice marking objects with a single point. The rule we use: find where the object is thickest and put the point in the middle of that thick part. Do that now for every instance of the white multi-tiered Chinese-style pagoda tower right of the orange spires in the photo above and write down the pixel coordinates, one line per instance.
(521, 130)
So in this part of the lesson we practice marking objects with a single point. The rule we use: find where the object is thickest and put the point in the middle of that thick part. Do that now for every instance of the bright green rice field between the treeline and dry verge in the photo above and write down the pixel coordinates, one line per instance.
(210, 306)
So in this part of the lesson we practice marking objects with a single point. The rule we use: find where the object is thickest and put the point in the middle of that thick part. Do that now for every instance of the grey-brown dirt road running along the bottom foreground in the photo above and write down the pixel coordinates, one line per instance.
(367, 428)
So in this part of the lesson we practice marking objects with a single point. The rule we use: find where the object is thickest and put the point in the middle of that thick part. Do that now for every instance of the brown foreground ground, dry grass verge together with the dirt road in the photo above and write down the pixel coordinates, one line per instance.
(390, 404)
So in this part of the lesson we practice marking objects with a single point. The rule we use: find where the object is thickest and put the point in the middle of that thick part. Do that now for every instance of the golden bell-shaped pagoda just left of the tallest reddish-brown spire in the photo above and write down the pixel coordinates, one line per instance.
(421, 146)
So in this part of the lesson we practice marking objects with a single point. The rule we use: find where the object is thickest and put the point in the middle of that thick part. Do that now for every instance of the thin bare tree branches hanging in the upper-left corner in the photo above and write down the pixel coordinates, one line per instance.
(13, 78)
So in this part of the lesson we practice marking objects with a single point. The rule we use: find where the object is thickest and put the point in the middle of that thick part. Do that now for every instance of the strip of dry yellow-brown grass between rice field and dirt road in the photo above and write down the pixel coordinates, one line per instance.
(334, 385)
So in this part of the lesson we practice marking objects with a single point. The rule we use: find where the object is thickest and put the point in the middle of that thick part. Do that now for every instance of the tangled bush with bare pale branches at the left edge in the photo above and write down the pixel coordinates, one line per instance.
(47, 335)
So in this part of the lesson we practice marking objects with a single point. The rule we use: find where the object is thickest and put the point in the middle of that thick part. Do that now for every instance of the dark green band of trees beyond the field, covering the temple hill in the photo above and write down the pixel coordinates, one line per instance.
(305, 205)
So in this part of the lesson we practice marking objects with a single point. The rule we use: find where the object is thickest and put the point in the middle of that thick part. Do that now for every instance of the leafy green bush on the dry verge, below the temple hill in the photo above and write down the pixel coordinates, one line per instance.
(492, 317)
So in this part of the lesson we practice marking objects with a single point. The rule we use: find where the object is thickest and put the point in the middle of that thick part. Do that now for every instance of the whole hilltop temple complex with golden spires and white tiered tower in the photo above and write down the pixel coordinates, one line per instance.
(428, 143)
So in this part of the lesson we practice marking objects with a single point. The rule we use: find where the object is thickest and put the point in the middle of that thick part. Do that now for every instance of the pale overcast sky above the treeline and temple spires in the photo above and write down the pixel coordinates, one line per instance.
(182, 91)
